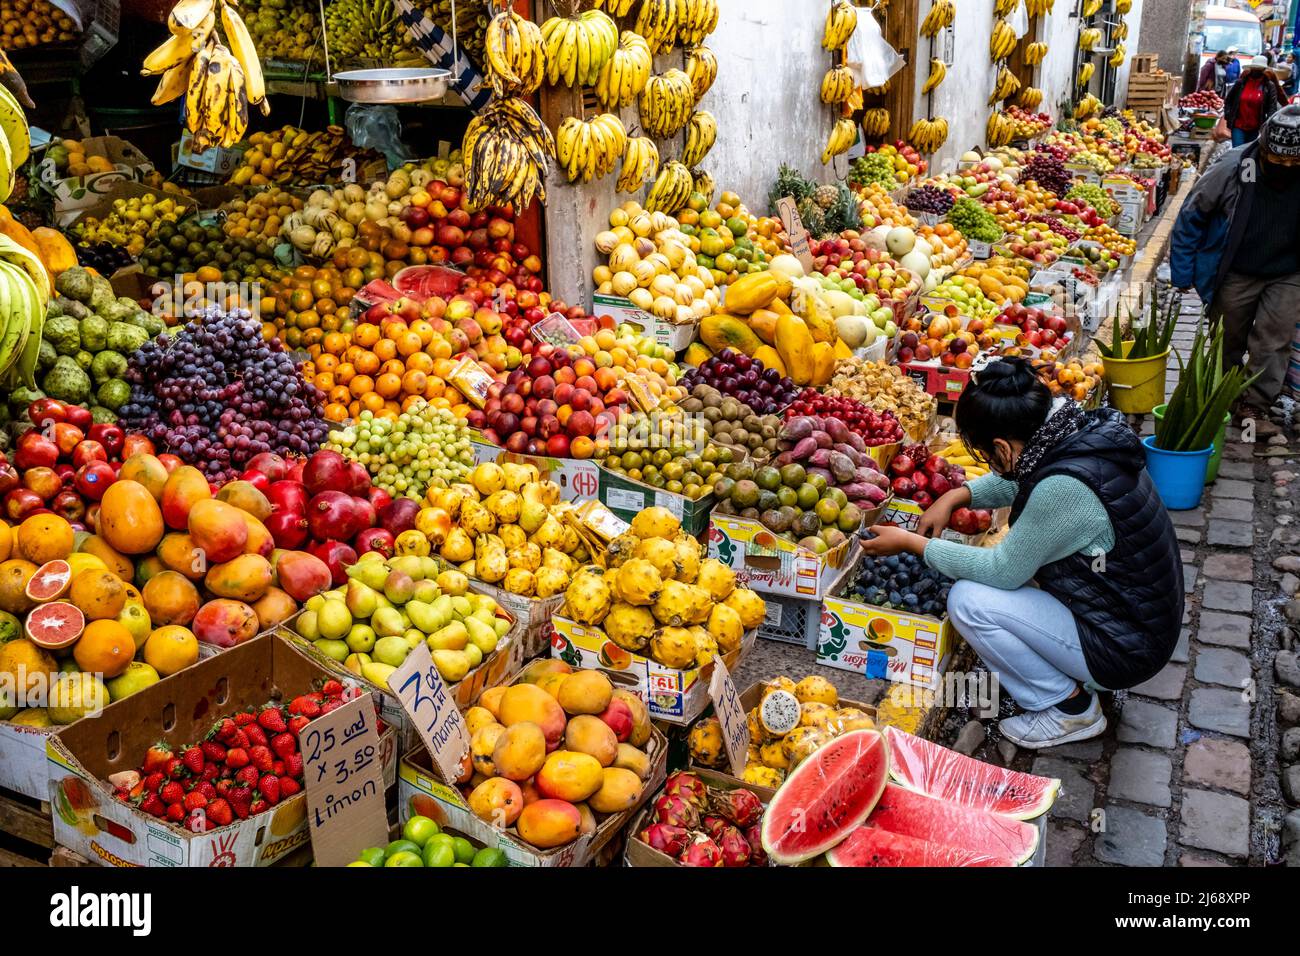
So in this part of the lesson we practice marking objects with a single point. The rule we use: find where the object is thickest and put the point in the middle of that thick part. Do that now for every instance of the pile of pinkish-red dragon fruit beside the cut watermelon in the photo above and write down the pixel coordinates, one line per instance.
(704, 827)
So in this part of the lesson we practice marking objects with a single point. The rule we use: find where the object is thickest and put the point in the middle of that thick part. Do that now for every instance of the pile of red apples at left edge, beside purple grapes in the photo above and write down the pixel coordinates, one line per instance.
(64, 464)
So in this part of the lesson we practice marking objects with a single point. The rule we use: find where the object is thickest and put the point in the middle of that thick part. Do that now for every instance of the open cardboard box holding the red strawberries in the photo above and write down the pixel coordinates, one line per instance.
(180, 711)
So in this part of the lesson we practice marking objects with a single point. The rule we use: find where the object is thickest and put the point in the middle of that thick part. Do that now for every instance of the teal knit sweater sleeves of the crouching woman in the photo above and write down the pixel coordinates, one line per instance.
(1061, 518)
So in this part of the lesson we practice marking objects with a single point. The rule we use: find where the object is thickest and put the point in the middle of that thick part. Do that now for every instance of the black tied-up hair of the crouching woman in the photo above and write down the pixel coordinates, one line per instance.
(1006, 400)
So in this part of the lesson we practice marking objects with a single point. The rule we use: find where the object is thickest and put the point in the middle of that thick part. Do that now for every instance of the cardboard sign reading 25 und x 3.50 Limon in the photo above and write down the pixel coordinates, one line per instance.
(345, 784)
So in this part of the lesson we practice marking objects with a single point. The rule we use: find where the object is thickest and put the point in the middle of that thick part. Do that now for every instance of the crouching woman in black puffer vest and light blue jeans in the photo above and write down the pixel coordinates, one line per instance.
(1087, 527)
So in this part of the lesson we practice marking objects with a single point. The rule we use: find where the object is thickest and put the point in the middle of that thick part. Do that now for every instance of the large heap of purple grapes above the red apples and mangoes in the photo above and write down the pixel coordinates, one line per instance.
(216, 393)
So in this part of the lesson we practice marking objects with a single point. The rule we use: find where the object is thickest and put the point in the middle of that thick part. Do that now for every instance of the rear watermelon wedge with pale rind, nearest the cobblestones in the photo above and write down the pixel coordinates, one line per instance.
(931, 769)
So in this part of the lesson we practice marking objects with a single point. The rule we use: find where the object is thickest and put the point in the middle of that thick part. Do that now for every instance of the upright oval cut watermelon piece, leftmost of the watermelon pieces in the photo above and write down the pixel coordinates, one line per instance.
(827, 797)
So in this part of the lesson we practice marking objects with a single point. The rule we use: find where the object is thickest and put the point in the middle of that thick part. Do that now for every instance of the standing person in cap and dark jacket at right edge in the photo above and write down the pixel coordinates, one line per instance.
(1237, 241)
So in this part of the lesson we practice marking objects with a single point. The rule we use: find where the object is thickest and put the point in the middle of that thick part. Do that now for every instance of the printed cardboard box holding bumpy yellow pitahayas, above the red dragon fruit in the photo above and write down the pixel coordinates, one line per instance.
(673, 695)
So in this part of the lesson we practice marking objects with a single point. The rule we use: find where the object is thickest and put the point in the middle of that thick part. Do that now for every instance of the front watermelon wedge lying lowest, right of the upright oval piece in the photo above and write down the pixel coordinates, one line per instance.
(909, 814)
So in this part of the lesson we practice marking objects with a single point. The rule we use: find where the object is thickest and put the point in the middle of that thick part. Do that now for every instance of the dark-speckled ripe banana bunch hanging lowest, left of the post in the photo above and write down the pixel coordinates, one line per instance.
(505, 152)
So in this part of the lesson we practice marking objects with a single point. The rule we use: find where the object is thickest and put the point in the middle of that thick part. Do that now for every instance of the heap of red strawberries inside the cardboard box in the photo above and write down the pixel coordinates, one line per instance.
(244, 767)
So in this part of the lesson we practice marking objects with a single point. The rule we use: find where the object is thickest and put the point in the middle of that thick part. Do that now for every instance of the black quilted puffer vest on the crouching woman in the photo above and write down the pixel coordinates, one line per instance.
(1130, 611)
